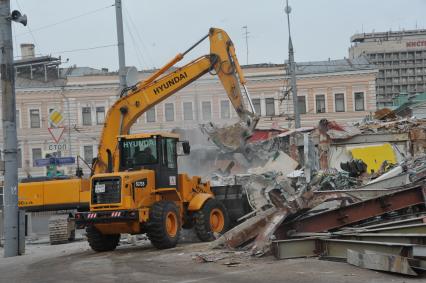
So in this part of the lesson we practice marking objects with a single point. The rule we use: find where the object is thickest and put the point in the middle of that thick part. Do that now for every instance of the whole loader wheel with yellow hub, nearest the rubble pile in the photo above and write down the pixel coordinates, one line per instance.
(211, 219)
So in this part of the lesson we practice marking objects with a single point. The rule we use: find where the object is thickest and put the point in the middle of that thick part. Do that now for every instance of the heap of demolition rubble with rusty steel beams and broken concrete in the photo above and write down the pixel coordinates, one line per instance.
(371, 219)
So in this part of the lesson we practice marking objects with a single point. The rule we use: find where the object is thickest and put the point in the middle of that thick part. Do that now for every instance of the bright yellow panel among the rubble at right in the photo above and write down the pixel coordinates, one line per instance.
(374, 155)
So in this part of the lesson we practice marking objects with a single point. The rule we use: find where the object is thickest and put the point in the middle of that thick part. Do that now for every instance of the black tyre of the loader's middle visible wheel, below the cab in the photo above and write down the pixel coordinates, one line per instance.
(157, 225)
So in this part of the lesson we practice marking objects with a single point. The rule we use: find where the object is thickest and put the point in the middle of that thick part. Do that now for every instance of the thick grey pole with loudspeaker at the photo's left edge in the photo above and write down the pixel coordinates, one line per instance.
(10, 140)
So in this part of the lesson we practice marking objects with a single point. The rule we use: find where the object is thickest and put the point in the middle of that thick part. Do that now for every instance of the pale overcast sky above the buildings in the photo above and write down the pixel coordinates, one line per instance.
(156, 30)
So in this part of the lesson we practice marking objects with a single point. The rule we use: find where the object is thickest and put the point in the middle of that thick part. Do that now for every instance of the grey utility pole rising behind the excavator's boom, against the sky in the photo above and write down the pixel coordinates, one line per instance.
(120, 44)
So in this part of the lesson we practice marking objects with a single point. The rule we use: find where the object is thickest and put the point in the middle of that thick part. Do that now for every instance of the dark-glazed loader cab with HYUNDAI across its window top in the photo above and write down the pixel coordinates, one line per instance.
(157, 152)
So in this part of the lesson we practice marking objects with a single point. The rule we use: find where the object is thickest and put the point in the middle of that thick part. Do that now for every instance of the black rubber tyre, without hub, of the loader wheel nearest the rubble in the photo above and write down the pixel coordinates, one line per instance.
(203, 227)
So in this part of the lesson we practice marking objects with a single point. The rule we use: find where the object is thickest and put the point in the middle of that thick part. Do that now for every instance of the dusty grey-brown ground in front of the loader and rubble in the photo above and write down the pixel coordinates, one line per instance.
(76, 262)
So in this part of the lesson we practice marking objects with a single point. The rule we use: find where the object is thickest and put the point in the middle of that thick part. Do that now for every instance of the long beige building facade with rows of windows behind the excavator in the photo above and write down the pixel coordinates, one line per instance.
(345, 95)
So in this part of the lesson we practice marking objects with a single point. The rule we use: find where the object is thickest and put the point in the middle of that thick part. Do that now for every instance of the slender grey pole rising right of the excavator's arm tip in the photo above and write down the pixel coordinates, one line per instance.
(292, 69)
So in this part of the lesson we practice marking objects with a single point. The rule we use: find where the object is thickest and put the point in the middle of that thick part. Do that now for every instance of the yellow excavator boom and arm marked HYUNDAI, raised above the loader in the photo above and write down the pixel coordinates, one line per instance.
(146, 94)
